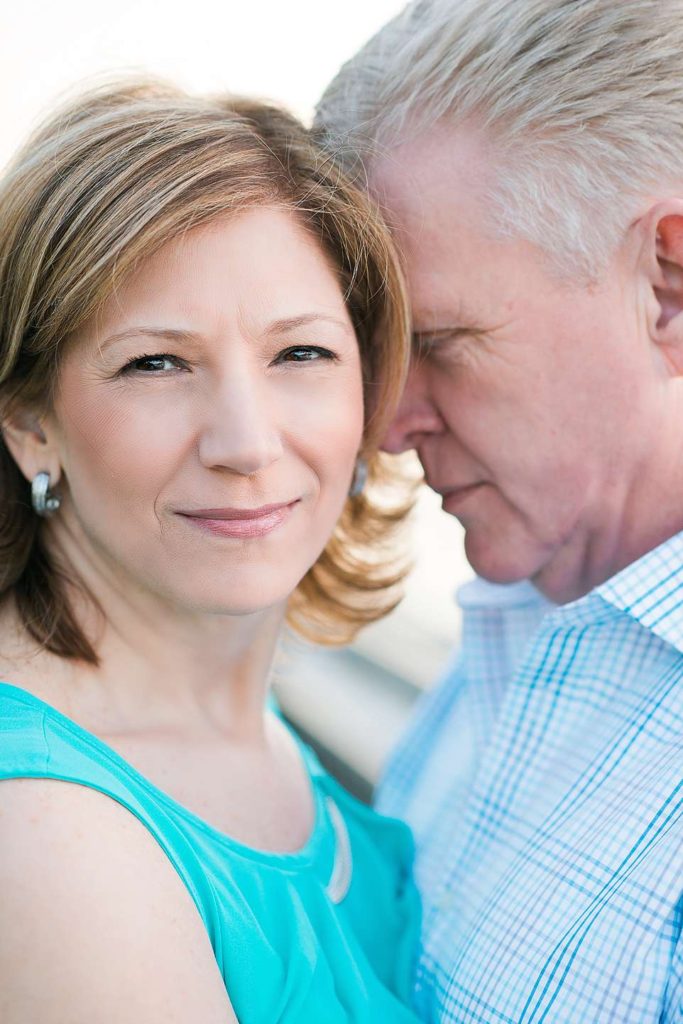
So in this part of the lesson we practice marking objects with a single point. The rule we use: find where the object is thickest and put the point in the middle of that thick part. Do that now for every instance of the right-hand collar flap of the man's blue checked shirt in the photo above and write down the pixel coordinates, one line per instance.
(652, 591)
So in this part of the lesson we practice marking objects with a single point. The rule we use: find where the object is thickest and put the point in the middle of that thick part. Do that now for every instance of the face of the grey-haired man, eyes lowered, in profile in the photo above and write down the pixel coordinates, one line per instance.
(534, 403)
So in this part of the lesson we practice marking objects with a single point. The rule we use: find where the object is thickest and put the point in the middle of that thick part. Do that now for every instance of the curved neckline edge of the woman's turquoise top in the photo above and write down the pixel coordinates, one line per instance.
(295, 860)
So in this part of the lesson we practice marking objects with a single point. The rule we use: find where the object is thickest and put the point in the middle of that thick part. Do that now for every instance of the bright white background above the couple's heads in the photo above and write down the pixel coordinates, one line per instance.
(285, 52)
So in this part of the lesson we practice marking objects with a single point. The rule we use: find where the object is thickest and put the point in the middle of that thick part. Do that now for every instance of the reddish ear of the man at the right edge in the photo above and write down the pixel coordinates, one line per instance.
(663, 266)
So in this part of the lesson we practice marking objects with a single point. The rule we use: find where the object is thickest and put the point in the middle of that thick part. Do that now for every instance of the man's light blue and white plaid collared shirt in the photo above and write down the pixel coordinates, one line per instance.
(544, 782)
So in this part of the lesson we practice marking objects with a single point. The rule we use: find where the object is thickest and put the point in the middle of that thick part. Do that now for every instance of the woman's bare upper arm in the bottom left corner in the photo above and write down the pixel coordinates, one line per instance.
(97, 925)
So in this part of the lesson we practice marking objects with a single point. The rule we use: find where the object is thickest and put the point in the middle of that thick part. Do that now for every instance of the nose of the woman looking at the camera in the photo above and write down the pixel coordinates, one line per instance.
(241, 433)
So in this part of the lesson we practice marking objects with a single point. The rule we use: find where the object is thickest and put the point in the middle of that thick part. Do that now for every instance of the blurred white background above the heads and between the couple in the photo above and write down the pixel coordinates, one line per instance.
(354, 703)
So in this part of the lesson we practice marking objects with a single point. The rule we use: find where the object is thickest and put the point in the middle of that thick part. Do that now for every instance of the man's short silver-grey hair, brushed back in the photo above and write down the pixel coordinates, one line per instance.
(582, 102)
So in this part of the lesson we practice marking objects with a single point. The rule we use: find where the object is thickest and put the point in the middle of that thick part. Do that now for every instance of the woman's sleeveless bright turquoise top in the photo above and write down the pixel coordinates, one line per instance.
(329, 933)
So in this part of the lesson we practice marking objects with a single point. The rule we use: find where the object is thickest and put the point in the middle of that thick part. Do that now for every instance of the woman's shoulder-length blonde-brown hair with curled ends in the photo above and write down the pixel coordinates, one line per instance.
(103, 186)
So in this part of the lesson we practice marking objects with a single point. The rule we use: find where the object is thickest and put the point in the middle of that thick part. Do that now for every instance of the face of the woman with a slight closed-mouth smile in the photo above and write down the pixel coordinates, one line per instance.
(209, 421)
